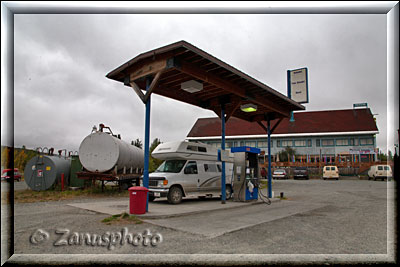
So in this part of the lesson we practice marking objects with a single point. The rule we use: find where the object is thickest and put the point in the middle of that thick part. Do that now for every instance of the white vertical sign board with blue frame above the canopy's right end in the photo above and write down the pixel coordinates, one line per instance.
(298, 85)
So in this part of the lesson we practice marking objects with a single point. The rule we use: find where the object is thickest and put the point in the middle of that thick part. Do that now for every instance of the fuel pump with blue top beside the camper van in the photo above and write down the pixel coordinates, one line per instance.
(245, 173)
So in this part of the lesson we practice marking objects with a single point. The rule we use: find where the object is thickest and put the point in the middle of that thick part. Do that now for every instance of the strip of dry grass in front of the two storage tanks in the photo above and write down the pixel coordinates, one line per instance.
(29, 196)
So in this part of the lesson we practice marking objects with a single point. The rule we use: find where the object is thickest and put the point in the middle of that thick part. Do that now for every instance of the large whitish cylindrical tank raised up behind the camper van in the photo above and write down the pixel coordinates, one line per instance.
(102, 152)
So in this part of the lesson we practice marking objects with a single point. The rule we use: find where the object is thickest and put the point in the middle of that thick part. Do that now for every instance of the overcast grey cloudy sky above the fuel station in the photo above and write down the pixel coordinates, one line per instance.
(60, 63)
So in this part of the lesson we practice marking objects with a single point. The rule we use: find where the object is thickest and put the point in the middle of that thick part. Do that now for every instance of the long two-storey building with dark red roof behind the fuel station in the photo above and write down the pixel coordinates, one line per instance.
(348, 134)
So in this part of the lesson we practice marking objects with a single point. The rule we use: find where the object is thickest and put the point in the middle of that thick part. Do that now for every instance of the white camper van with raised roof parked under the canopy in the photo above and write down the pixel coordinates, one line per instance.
(189, 169)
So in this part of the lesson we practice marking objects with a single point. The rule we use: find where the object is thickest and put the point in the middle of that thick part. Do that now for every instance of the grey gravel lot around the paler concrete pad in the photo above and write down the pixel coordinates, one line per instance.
(352, 219)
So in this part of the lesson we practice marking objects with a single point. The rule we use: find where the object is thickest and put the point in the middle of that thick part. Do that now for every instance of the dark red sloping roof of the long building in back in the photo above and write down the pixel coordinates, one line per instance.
(349, 120)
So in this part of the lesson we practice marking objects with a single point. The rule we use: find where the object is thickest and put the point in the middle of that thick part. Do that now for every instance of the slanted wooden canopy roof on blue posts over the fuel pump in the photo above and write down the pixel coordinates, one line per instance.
(212, 83)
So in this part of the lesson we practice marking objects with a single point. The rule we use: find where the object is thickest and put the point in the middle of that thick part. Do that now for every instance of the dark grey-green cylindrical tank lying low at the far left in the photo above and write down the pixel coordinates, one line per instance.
(43, 171)
